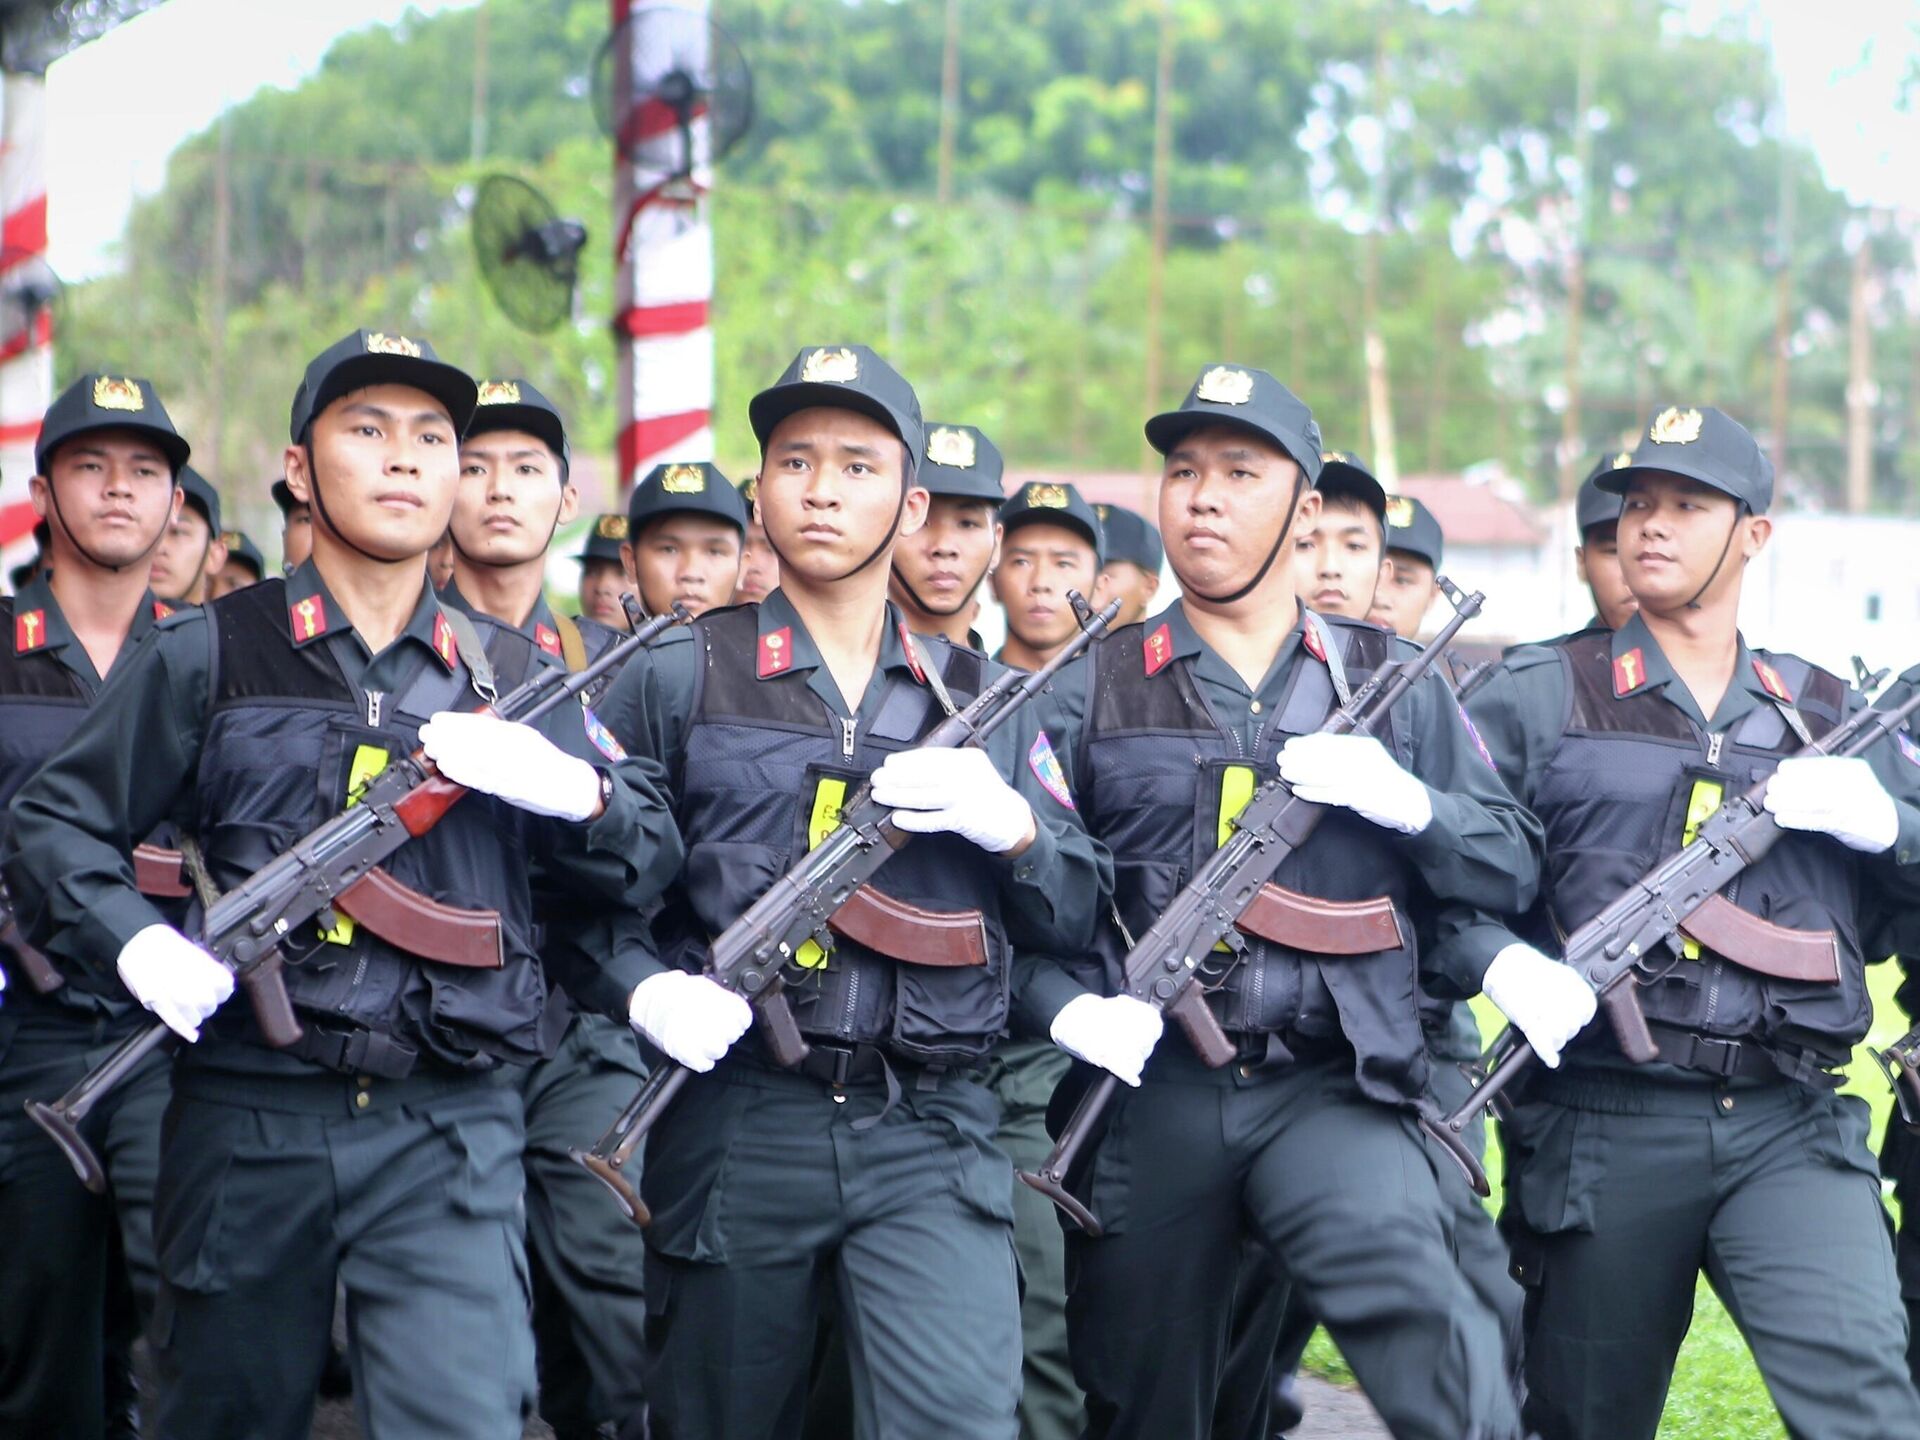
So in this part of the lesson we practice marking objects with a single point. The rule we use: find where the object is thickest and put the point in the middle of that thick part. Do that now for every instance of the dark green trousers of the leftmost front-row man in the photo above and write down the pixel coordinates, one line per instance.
(270, 1189)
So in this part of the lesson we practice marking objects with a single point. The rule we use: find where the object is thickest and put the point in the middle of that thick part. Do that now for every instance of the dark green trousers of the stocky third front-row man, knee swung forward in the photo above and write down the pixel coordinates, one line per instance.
(1199, 1163)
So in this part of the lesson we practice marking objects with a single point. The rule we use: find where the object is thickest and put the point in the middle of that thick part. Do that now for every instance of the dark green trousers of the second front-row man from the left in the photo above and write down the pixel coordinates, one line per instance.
(769, 1193)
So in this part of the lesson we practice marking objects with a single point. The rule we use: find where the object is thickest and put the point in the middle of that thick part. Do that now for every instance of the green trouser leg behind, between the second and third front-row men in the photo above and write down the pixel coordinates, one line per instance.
(1022, 1076)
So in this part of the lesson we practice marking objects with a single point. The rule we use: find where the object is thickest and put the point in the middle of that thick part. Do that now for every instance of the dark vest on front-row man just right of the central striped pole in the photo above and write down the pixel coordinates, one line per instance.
(763, 761)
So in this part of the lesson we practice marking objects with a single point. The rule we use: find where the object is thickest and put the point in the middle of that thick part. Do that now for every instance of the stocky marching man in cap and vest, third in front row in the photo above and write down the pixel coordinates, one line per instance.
(1308, 1143)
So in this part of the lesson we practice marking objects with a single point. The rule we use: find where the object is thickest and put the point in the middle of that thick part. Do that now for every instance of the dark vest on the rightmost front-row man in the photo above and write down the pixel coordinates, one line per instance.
(1616, 800)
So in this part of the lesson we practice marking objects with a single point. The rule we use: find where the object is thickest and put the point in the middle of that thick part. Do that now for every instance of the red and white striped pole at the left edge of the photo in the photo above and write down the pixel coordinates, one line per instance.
(28, 358)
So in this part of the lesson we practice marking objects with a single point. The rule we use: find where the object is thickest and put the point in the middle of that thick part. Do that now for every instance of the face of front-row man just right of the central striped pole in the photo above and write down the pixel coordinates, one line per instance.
(830, 494)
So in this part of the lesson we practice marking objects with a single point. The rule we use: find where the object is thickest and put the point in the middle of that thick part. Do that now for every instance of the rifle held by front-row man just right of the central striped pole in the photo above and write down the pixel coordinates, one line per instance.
(817, 896)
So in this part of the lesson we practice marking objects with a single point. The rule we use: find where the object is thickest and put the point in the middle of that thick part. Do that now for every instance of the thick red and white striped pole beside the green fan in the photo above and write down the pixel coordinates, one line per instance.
(663, 266)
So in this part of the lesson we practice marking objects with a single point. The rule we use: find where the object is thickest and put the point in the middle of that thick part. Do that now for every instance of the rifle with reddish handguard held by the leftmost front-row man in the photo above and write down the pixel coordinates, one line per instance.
(247, 926)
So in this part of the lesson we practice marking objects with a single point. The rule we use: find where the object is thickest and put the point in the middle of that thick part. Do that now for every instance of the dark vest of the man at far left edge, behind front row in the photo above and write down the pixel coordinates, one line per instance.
(41, 704)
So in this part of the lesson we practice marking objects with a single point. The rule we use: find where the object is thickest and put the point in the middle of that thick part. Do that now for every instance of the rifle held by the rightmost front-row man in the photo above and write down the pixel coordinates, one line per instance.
(1683, 898)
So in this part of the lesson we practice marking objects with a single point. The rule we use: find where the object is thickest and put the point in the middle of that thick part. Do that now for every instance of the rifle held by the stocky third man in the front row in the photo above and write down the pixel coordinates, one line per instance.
(1230, 894)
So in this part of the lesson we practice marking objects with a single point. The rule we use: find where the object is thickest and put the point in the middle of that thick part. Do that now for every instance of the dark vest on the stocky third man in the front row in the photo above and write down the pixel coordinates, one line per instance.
(1153, 777)
